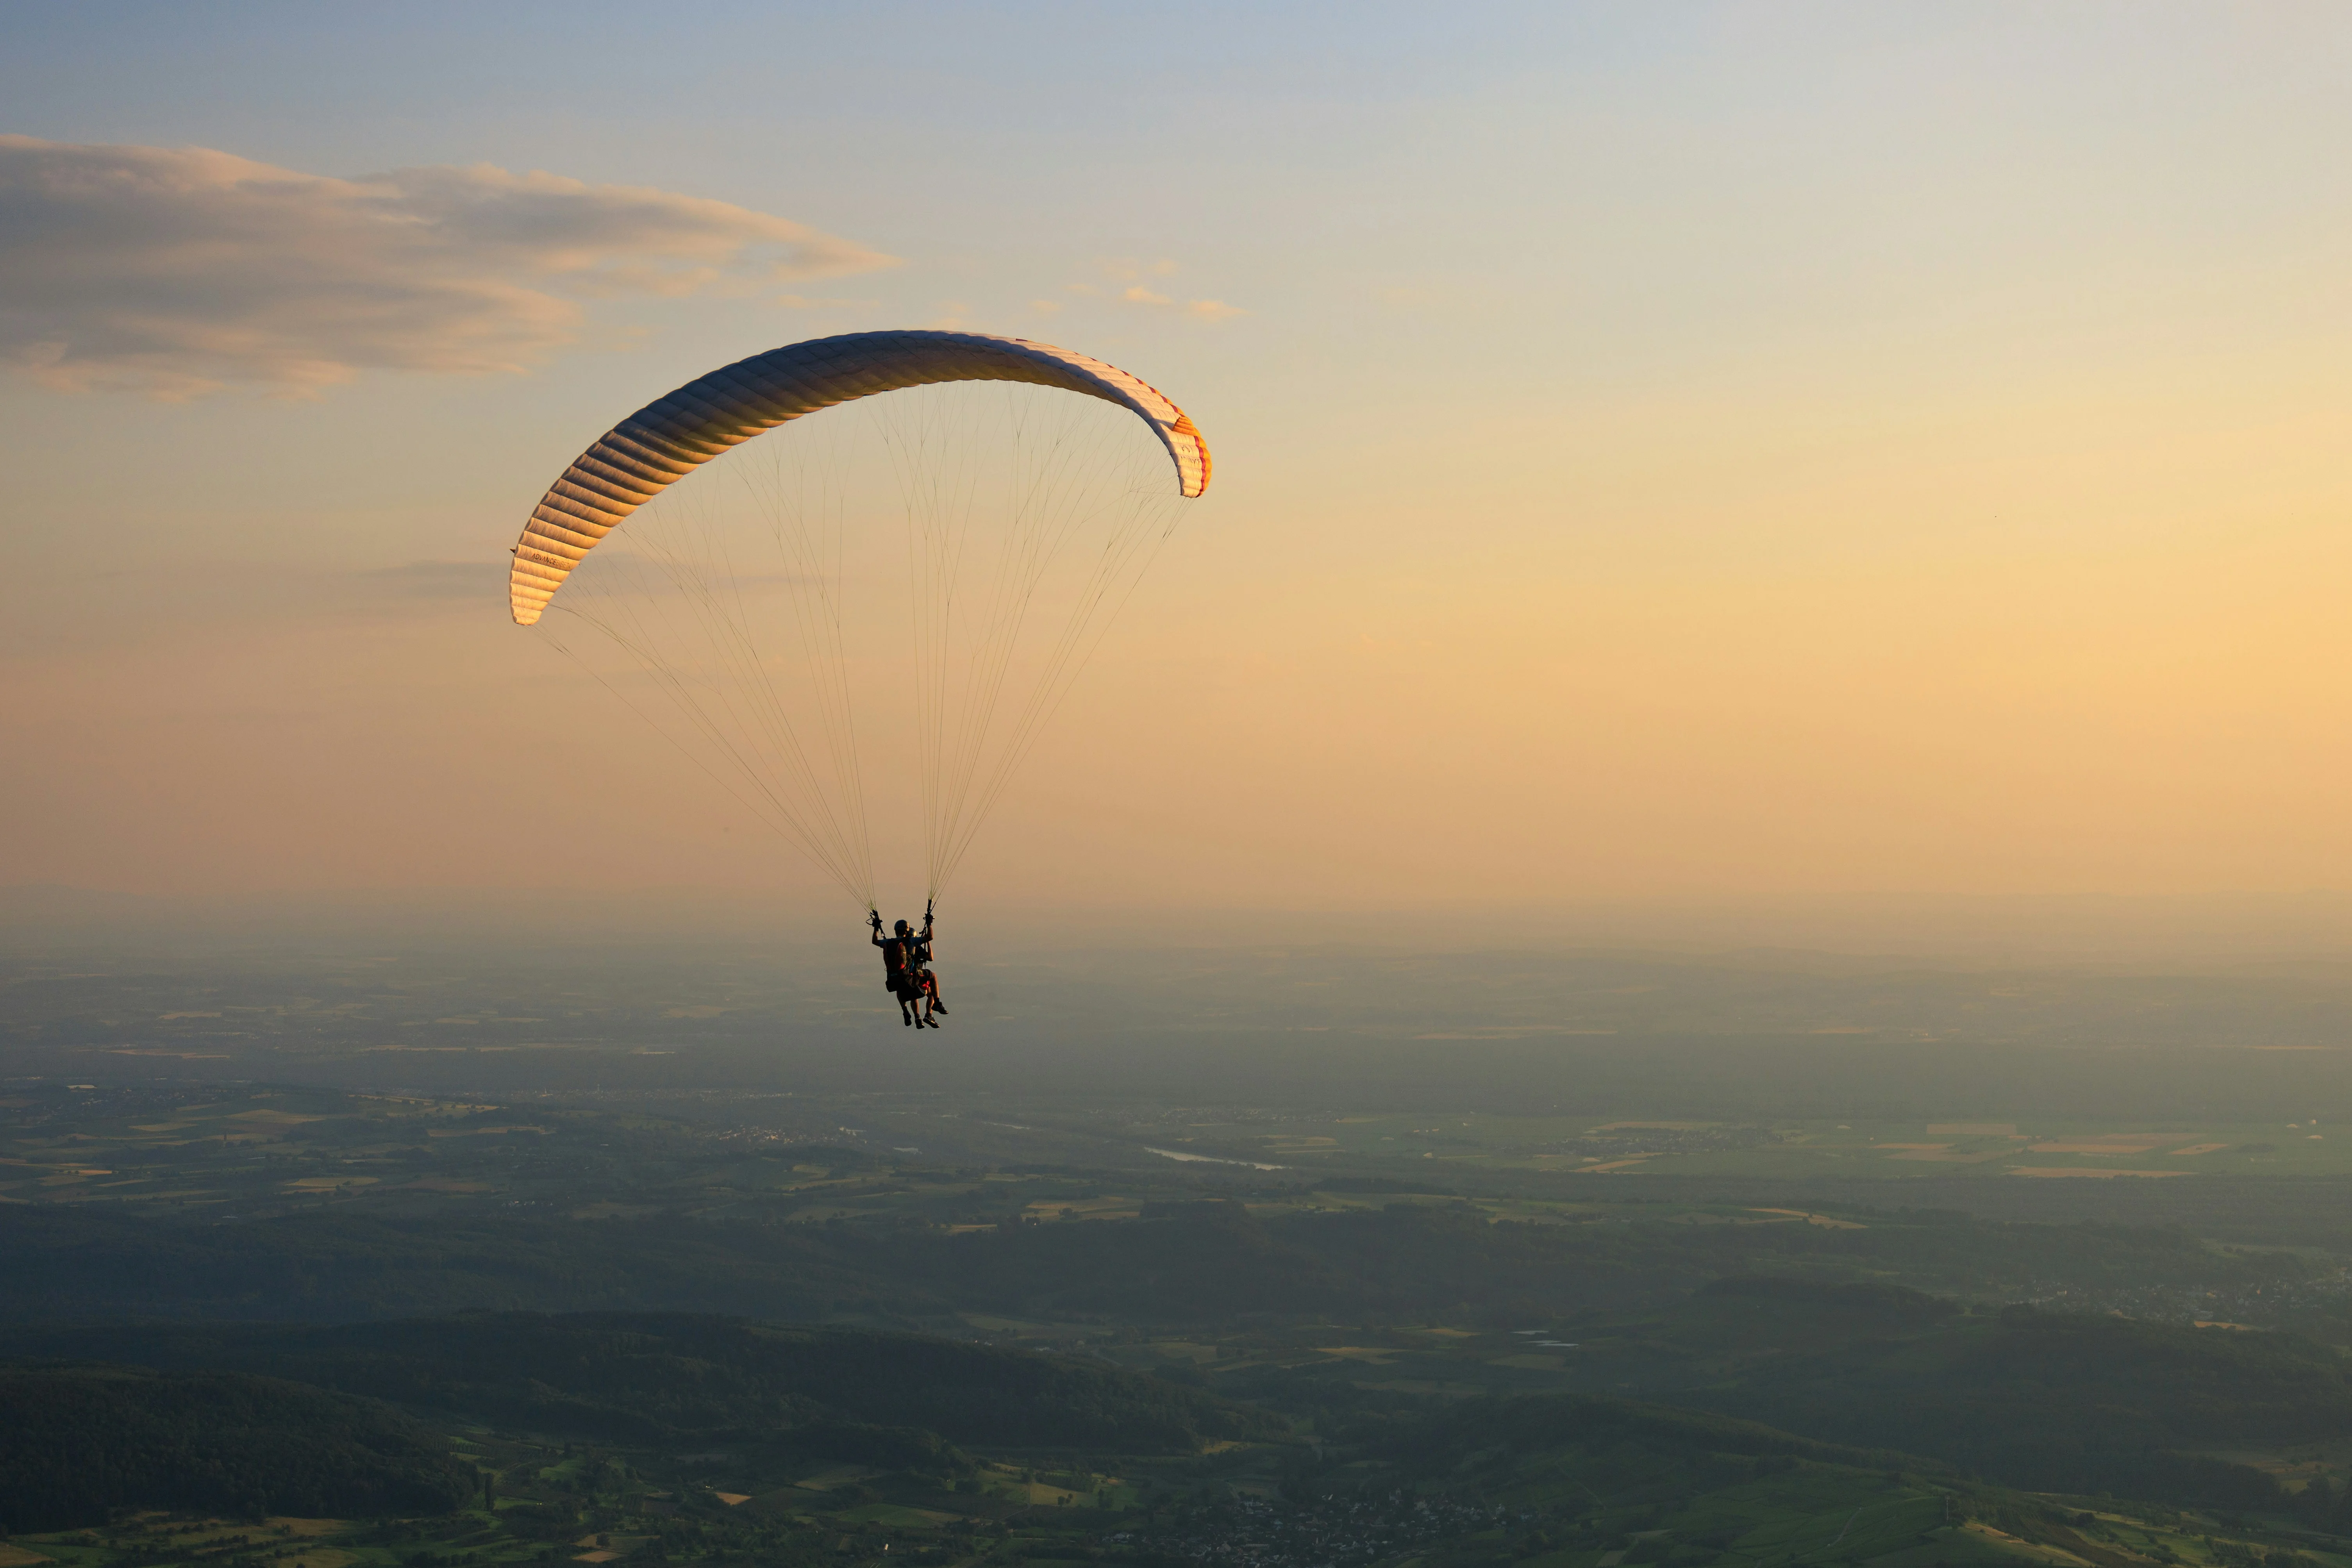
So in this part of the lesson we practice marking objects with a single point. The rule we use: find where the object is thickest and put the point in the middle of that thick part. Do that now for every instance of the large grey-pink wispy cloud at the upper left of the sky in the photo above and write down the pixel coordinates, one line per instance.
(180, 272)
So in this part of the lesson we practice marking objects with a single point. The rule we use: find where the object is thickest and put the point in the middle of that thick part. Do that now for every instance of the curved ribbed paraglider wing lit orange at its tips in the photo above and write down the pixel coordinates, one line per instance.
(669, 438)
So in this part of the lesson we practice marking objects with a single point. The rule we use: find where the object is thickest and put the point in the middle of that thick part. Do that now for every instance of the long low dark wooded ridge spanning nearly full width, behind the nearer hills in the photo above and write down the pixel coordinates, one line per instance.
(1182, 1264)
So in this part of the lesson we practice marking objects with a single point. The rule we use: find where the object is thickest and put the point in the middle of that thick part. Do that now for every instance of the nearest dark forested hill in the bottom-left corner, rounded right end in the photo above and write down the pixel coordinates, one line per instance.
(79, 1445)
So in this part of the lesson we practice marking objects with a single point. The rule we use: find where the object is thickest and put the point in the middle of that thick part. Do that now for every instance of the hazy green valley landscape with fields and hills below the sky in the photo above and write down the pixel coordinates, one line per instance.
(1516, 1257)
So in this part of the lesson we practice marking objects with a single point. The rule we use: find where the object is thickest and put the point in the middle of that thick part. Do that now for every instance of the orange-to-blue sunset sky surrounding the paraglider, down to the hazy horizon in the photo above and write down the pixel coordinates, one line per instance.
(1662, 450)
